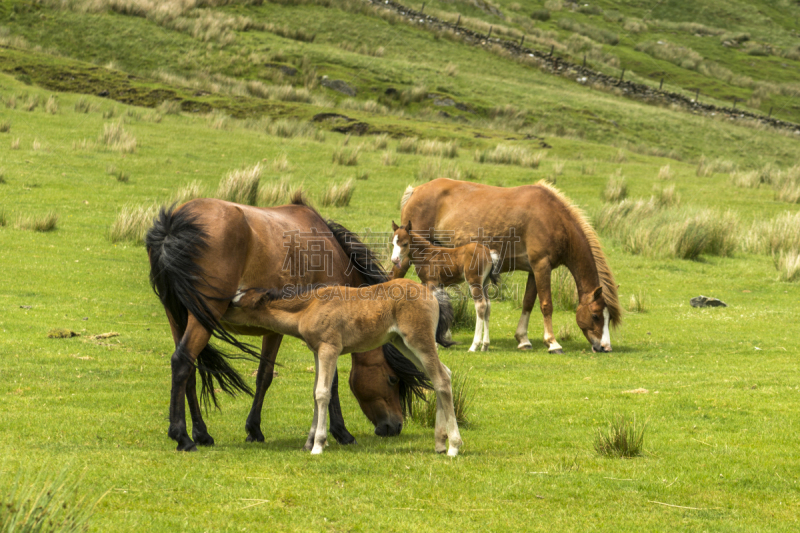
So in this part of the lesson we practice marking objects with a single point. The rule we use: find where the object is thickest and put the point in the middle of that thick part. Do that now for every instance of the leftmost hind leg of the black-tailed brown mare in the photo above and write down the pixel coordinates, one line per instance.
(194, 340)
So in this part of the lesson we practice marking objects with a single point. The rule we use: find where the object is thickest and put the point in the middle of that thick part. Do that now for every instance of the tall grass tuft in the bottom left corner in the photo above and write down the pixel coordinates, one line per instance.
(45, 503)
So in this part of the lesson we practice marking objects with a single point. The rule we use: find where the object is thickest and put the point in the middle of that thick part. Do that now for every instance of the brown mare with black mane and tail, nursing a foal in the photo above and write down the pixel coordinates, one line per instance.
(205, 250)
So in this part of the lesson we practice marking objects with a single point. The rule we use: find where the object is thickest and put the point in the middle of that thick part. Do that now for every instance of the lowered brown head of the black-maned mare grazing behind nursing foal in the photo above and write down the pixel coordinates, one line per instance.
(377, 388)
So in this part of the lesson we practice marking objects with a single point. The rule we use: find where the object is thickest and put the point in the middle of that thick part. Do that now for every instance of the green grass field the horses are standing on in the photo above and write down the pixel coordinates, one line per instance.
(718, 387)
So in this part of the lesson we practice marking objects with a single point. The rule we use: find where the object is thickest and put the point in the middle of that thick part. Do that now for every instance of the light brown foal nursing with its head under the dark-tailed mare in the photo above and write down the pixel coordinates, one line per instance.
(335, 320)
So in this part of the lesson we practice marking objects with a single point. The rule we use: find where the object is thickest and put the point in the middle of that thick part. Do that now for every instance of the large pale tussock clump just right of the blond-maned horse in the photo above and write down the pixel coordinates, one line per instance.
(646, 227)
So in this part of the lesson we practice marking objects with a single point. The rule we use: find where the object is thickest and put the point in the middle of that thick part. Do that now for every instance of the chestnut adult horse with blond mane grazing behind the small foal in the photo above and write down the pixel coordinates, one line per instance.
(534, 228)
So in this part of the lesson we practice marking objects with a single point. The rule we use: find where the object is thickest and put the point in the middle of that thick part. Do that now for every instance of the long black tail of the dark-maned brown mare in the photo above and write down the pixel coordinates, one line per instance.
(174, 244)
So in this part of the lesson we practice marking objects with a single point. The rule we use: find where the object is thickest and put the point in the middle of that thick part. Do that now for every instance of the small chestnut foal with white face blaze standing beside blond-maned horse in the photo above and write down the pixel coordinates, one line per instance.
(438, 266)
